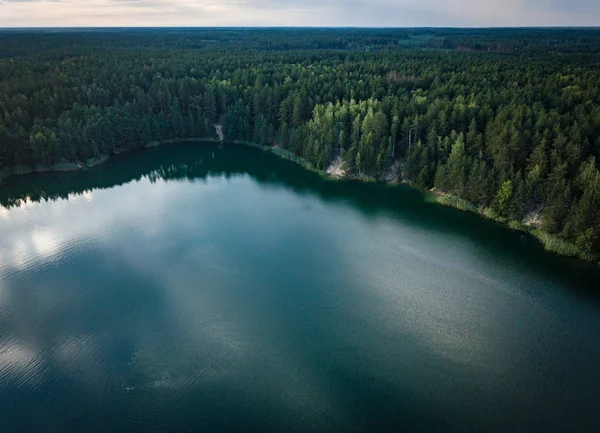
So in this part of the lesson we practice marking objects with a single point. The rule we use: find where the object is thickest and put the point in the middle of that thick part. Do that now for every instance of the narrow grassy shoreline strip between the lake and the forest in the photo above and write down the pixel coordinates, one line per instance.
(552, 243)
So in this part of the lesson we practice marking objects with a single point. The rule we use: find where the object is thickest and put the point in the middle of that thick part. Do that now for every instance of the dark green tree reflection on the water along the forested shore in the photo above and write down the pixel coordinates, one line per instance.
(197, 161)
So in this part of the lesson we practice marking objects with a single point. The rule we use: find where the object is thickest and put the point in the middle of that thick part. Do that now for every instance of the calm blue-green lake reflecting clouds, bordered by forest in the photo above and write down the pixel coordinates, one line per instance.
(204, 288)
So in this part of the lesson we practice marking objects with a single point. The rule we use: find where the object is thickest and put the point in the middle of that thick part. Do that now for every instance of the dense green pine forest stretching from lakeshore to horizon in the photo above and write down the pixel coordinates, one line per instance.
(505, 120)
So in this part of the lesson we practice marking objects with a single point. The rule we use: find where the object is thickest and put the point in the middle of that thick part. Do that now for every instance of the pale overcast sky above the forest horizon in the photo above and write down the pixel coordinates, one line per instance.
(388, 13)
